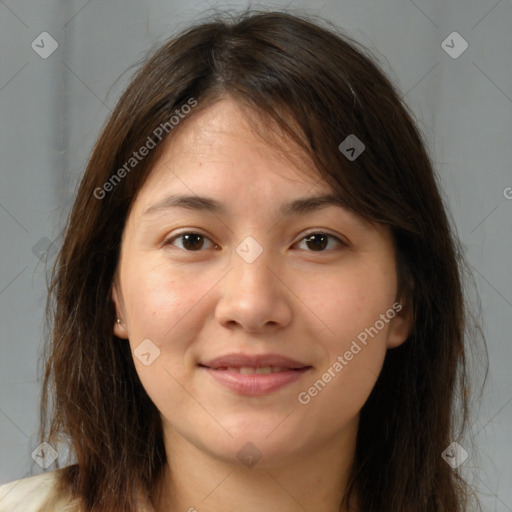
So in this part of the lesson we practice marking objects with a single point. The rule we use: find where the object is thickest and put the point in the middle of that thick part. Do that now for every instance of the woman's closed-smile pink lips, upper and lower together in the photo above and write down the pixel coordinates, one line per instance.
(221, 369)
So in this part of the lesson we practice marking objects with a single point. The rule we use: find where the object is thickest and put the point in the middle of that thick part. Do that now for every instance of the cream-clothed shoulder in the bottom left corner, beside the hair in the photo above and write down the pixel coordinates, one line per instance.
(34, 494)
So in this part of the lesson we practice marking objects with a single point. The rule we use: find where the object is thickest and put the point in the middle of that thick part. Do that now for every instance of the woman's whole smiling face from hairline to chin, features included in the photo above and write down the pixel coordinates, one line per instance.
(309, 292)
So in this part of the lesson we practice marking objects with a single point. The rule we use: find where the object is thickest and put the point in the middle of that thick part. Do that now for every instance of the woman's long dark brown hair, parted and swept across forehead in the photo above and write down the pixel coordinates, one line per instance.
(318, 86)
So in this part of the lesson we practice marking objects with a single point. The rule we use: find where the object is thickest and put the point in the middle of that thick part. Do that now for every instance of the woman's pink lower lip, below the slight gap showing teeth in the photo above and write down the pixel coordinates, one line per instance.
(255, 384)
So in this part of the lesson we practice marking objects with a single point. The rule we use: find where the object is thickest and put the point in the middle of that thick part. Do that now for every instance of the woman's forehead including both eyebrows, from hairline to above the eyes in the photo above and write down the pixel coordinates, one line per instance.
(215, 164)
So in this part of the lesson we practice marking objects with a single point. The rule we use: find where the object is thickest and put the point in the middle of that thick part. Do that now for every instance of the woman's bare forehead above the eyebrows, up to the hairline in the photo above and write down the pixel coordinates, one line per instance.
(217, 152)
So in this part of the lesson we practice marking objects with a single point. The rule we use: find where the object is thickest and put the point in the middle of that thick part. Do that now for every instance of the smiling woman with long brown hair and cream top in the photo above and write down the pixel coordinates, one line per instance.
(258, 301)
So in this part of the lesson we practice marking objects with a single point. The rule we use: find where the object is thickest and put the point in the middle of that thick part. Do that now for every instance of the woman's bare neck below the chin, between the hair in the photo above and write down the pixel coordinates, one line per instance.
(196, 481)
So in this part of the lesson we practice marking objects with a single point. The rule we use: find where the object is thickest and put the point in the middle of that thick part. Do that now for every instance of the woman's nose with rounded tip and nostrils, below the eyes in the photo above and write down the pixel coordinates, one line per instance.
(255, 295)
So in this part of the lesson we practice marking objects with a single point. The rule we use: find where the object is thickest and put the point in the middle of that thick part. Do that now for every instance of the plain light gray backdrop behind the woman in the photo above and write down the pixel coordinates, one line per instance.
(52, 110)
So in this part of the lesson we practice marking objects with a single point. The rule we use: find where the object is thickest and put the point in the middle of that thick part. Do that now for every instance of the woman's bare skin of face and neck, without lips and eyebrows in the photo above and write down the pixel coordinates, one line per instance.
(294, 299)
